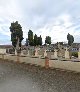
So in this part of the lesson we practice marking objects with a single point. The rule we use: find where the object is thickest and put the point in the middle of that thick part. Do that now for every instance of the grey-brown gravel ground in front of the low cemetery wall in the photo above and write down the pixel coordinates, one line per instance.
(16, 77)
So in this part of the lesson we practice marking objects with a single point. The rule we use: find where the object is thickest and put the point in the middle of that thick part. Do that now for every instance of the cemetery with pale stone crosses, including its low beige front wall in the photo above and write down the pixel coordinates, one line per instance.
(59, 58)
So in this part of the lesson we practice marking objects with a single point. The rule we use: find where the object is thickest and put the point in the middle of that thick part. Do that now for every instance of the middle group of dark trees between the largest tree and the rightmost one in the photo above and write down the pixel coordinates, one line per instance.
(34, 40)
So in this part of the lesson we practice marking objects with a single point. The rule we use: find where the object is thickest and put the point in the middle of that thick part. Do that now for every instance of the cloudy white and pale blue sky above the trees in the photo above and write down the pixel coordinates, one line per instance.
(54, 18)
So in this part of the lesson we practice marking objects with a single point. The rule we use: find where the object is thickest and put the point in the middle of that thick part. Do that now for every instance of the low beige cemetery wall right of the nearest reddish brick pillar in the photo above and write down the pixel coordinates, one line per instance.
(68, 65)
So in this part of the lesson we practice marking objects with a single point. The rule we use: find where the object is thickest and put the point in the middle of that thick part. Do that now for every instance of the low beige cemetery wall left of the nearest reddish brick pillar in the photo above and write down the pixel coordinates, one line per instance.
(31, 60)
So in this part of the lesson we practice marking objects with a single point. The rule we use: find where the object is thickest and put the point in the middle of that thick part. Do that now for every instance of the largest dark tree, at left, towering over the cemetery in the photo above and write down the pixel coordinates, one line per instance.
(16, 35)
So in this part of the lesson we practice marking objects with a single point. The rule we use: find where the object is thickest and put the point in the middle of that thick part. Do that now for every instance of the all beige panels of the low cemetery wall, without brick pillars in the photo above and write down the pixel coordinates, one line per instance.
(68, 65)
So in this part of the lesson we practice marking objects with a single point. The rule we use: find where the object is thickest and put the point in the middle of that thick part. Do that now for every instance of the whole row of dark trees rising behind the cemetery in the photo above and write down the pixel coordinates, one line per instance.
(33, 39)
